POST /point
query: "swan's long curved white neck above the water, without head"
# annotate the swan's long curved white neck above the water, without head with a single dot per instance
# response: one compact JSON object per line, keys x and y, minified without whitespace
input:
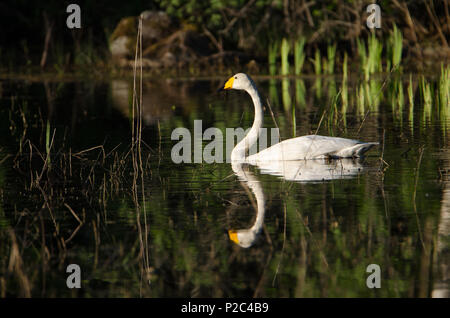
{"x":239,"y":152}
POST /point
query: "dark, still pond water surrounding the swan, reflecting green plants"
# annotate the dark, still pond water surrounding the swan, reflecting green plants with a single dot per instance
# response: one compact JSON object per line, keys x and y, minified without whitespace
{"x":167,"y":232}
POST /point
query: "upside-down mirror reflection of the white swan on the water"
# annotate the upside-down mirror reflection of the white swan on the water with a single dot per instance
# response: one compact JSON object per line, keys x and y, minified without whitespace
{"x":298,"y":170}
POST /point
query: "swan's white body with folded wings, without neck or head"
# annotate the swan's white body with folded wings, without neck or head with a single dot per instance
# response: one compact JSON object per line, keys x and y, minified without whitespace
{"x":312,"y":147}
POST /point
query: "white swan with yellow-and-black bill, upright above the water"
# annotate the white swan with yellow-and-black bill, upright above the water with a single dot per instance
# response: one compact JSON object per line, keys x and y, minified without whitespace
{"x":305,"y":147}
